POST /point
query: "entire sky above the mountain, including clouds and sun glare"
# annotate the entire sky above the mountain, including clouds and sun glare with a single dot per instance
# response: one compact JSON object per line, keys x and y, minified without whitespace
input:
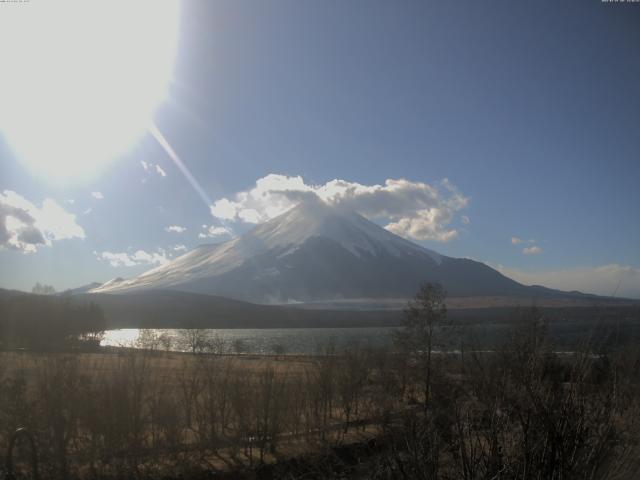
{"x":506,"y":132}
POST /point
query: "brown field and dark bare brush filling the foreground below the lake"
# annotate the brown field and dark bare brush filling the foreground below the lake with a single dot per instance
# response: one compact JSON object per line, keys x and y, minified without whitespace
{"x":520,"y":410}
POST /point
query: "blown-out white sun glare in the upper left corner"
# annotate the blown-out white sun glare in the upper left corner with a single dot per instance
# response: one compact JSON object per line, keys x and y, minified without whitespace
{"x":81,"y":80}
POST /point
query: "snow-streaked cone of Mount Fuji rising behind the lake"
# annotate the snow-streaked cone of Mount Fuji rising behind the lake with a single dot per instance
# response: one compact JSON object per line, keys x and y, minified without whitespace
{"x":316,"y":252}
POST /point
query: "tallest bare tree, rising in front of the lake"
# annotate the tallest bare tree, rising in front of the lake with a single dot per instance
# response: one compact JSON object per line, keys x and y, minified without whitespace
{"x":422,"y":332}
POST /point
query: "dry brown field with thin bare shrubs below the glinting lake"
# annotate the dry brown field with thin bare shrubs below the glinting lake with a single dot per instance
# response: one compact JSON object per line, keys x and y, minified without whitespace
{"x":154,"y":410}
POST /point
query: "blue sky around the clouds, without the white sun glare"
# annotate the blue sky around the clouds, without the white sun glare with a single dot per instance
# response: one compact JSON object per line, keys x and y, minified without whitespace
{"x":530,"y":109}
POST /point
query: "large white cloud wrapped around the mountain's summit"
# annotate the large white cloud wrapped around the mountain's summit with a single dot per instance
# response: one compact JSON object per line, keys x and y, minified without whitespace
{"x":415,"y":210}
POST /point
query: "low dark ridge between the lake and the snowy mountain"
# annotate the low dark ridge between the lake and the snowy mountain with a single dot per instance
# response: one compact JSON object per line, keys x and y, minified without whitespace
{"x":173,"y":309}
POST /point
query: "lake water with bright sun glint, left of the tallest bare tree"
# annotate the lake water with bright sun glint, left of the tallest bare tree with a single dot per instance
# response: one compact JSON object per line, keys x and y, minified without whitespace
{"x":255,"y":341}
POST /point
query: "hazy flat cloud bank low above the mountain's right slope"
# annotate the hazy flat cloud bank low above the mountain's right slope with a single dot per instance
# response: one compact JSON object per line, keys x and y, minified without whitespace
{"x":600,"y":280}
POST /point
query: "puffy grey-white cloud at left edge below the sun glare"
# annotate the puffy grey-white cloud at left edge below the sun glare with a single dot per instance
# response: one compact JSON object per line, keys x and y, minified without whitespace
{"x":24,"y":226}
